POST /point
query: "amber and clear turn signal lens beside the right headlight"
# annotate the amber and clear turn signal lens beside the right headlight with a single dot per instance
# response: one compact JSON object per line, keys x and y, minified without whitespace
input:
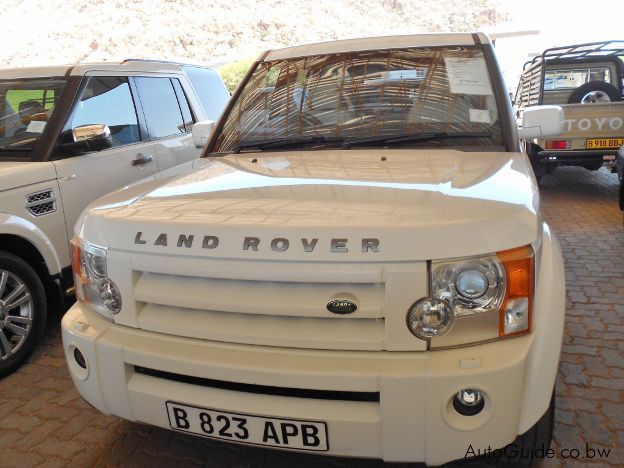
{"x":517,"y":307}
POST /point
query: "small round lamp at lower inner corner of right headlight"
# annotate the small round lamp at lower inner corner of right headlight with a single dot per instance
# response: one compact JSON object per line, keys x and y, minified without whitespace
{"x":429,"y":318}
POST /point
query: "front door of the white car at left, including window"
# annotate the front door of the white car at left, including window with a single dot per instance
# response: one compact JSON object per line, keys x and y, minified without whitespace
{"x":85,"y":177}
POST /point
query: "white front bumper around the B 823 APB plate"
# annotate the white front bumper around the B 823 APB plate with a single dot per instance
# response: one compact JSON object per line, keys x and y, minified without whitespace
{"x":413,"y":420}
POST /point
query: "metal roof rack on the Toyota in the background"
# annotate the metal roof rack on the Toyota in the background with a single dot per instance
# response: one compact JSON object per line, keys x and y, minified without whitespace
{"x":530,"y":89}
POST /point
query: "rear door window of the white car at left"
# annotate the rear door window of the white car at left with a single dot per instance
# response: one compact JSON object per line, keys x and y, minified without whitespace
{"x":161,"y":107}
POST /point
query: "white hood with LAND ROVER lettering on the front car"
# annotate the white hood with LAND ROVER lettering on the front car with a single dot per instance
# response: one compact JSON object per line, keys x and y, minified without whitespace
{"x":419,"y":204}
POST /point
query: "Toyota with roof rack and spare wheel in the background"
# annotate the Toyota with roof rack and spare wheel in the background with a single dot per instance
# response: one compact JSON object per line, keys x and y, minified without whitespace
{"x":587,"y":81}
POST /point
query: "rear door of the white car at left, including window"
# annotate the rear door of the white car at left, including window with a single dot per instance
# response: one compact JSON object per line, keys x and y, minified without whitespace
{"x":169,"y":120}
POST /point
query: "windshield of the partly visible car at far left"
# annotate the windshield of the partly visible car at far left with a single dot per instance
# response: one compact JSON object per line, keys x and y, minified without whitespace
{"x":26,"y":105}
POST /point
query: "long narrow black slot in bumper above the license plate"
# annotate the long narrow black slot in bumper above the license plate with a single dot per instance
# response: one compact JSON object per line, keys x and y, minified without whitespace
{"x":261,"y":389}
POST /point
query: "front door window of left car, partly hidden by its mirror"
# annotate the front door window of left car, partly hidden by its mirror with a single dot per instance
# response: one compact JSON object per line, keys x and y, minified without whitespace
{"x":108,"y":100}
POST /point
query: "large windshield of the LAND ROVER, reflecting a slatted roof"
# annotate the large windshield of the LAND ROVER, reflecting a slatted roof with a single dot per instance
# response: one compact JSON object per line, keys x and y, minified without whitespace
{"x":439,"y":96}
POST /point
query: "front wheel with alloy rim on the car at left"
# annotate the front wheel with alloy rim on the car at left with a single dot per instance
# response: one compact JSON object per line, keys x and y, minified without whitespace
{"x":22,"y":312}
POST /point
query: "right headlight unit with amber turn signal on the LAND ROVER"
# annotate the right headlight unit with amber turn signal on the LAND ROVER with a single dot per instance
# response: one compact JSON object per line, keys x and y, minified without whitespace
{"x":489,"y":297}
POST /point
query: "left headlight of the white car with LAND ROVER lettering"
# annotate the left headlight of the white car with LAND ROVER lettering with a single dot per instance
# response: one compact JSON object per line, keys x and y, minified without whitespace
{"x":91,"y":280}
